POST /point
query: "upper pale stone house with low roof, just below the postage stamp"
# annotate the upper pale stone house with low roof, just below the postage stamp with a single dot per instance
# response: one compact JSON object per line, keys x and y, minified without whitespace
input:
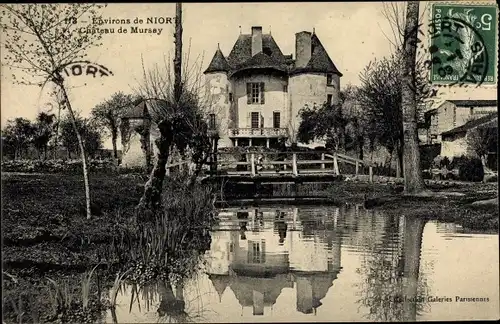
{"x":454,"y":113}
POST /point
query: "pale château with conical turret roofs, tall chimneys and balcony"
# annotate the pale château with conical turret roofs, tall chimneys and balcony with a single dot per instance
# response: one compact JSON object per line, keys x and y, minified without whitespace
{"x":256,"y":92}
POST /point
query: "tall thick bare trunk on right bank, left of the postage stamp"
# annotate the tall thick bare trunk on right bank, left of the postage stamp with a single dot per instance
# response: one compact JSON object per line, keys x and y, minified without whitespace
{"x":412,"y":174}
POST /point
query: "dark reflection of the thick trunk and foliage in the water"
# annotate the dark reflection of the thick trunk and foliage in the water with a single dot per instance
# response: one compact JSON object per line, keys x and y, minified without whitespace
{"x":393,"y":289}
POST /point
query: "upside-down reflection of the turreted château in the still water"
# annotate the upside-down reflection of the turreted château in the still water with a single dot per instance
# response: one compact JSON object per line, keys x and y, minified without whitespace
{"x":258,"y":252}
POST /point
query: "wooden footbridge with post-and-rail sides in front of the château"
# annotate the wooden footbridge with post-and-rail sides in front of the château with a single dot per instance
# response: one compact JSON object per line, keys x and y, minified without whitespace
{"x":280,"y":165}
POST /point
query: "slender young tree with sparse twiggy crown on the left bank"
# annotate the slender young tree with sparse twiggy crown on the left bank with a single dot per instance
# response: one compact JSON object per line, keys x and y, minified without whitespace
{"x":41,"y":40}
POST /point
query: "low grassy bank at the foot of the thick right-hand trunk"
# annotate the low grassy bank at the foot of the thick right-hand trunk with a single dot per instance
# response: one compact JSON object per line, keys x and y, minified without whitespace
{"x":448,"y":202}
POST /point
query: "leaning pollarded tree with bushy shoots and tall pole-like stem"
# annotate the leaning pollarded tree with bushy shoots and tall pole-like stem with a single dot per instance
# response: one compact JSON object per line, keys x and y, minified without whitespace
{"x":177,"y":111}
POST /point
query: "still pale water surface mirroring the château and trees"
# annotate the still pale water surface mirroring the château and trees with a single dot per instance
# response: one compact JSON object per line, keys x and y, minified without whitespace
{"x":311,"y":264}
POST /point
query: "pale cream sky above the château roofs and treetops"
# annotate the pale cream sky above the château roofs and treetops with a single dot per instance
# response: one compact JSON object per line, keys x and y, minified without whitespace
{"x":352,"y":33}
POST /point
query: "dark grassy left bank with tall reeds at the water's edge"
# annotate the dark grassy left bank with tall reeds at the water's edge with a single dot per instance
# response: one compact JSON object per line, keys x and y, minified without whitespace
{"x":50,"y":248}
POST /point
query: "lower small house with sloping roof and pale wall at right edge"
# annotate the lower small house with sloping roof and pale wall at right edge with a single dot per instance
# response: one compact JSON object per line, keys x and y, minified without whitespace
{"x":454,"y":141}
